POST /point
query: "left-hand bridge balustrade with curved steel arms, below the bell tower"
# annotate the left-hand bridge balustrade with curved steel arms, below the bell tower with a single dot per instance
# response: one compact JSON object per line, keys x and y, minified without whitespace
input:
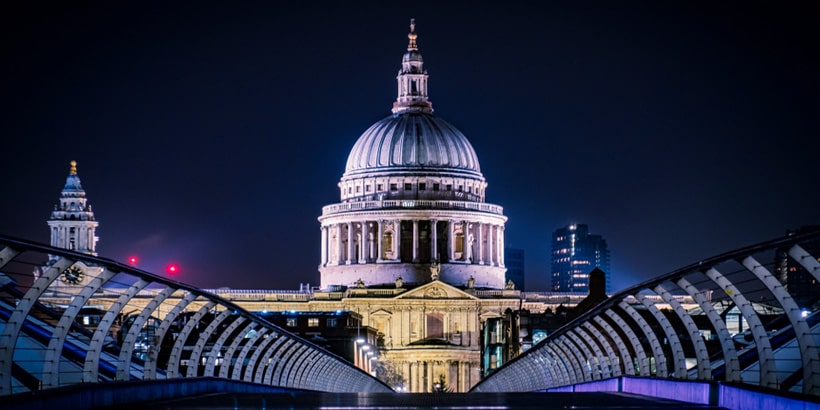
{"x":68,"y":318}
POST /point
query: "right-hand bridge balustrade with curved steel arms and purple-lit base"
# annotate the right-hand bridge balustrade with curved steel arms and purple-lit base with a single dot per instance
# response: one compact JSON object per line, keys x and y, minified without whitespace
{"x":747,"y":316}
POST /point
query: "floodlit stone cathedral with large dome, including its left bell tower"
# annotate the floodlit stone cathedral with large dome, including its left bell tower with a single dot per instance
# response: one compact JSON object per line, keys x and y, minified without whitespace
{"x":412,"y":251}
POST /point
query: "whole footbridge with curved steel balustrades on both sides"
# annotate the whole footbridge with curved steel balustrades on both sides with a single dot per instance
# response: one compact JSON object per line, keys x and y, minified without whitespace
{"x":736,"y":327}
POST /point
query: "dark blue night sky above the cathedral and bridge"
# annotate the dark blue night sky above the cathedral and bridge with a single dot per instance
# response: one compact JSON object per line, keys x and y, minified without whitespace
{"x":211,"y":134}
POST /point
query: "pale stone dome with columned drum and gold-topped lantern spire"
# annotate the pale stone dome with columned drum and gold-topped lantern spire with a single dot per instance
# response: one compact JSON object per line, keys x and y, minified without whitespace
{"x":412,"y":206}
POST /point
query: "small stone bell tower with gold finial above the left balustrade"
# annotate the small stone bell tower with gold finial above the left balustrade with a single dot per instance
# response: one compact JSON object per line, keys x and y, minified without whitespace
{"x":72,"y":222}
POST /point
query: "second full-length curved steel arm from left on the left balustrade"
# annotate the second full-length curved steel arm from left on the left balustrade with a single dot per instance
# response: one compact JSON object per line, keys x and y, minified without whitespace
{"x":51,"y":362}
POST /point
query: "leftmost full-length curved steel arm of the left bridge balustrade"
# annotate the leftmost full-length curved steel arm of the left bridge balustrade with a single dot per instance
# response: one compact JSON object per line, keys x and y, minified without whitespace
{"x":8,"y":339}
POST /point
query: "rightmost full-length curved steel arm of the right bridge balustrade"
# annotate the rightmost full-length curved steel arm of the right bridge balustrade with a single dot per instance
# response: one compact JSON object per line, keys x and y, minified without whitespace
{"x":802,"y":332}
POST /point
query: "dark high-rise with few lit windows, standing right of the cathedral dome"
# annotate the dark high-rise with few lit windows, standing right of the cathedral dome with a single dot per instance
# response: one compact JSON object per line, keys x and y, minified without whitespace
{"x":575,"y":253}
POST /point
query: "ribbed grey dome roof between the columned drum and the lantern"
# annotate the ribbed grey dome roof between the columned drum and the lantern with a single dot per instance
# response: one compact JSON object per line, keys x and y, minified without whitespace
{"x":413,"y":141}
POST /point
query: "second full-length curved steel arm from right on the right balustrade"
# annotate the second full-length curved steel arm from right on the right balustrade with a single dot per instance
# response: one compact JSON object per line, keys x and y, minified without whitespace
{"x":768,"y":371}
